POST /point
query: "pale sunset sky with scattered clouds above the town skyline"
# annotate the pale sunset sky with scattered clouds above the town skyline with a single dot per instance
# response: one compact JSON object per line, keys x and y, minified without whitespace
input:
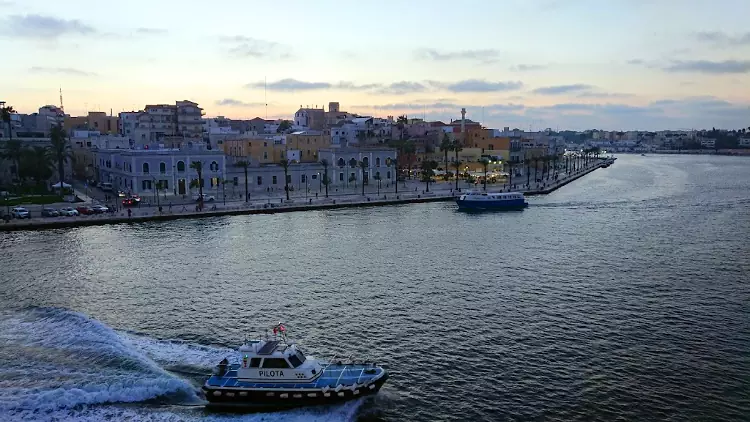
{"x":529,"y":64}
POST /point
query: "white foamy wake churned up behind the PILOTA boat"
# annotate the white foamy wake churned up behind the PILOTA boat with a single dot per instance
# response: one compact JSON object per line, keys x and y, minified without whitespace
{"x":57,"y":364}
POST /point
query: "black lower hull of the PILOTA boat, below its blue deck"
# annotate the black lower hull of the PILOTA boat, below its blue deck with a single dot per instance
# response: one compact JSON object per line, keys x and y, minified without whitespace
{"x":219,"y":397}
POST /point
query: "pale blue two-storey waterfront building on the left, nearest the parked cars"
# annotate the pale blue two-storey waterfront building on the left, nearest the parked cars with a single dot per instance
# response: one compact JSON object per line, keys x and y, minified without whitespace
{"x":138,"y":170}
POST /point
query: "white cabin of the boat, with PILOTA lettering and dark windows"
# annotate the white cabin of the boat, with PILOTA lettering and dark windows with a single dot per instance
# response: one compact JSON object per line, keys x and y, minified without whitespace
{"x":276,"y":361}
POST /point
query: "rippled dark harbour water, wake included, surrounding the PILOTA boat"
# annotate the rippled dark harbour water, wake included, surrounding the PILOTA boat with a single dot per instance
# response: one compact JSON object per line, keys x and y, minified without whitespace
{"x":623,"y":296}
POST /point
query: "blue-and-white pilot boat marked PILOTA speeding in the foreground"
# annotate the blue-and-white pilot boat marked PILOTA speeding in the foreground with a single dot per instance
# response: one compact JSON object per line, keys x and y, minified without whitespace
{"x":276,"y":373}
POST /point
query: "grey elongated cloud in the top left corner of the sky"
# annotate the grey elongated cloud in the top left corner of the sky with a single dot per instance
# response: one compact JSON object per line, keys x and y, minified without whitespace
{"x":44,"y":27}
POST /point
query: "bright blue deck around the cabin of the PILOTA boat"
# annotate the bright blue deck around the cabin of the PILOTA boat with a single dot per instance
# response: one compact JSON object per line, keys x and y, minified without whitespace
{"x":331,"y":377}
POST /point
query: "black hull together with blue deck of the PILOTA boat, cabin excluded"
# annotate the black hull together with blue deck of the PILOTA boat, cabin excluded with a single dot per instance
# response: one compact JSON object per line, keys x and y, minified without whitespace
{"x":336,"y":384}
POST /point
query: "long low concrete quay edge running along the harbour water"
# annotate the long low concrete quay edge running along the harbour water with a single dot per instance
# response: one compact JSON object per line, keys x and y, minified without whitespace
{"x":278,"y":205}
